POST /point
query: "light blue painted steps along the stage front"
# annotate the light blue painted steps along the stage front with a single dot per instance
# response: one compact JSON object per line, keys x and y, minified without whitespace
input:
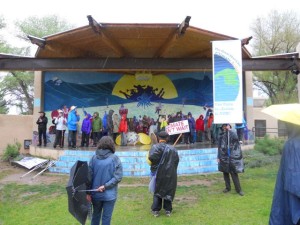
{"x":193,"y":161}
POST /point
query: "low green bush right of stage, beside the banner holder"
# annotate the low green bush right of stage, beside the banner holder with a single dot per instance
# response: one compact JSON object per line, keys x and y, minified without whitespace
{"x":269,"y":146}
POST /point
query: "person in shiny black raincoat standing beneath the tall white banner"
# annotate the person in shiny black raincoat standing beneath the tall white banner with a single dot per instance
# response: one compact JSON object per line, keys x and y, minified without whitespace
{"x":230,"y":158}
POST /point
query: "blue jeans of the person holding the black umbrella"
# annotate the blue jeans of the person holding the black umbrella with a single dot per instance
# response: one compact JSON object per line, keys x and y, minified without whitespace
{"x":104,"y":209}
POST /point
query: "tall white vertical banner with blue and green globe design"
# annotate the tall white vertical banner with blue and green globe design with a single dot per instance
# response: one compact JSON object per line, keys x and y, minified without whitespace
{"x":227,"y":81}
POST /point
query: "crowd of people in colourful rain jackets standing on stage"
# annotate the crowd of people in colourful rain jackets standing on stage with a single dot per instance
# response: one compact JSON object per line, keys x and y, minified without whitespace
{"x":93,"y":127}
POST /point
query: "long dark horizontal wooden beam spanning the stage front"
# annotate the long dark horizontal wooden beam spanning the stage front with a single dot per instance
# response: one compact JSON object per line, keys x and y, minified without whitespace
{"x":136,"y":64}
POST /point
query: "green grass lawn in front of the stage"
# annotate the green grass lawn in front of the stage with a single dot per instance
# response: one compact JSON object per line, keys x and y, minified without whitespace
{"x":195,"y":202}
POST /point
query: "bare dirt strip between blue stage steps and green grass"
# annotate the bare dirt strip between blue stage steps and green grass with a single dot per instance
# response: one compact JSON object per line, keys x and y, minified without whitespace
{"x":15,"y":174}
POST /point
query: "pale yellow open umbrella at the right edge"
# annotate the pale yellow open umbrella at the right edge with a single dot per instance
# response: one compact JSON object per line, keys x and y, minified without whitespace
{"x":286,"y":112}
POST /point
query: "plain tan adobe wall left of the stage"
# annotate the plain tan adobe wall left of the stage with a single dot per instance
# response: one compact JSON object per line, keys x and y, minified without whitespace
{"x":15,"y":128}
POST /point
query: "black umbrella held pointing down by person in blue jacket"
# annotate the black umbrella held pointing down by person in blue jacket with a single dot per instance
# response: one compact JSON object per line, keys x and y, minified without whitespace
{"x":76,"y":189}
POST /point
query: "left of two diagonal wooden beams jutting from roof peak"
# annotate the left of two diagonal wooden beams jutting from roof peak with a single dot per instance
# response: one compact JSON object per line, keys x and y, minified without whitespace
{"x":107,"y":39}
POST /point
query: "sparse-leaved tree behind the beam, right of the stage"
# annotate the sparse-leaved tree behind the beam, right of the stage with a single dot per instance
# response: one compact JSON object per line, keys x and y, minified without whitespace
{"x":276,"y":33}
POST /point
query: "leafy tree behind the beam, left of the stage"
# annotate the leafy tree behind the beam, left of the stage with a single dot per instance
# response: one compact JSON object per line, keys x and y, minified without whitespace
{"x":18,"y":86}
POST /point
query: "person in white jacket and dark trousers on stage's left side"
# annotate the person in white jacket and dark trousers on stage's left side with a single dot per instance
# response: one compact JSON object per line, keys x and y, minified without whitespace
{"x":60,"y":123}
